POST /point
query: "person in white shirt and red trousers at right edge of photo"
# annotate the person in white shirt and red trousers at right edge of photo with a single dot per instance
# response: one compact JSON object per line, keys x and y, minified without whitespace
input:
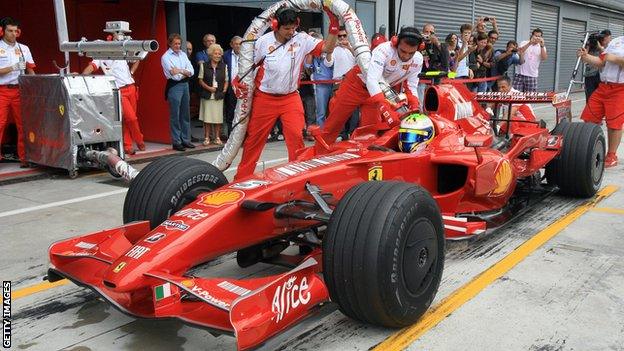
{"x":606,"y":100}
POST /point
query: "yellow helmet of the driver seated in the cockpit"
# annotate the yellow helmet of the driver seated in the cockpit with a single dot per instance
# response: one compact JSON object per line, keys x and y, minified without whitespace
{"x":415,"y":133}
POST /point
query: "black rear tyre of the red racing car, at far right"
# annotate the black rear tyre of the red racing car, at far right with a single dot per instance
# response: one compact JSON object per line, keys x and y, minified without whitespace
{"x":579,"y":168}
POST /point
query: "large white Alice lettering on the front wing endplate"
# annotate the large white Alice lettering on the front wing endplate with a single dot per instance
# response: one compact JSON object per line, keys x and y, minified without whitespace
{"x":289,"y":296}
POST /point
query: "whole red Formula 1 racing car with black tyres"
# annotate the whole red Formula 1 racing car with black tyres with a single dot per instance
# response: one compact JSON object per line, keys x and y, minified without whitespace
{"x":370,"y":221}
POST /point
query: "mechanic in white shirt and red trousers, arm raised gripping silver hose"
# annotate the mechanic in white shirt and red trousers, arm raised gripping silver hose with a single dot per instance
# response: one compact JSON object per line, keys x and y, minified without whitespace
{"x":280,"y":56}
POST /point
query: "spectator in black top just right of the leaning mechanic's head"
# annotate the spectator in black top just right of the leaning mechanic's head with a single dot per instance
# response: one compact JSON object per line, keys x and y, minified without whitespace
{"x":435,"y":55}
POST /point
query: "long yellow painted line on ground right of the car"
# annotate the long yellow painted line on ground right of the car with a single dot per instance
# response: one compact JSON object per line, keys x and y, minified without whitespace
{"x":403,"y":338}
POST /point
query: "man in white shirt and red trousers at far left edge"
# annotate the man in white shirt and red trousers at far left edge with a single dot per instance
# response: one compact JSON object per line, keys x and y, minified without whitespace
{"x":15,"y":59}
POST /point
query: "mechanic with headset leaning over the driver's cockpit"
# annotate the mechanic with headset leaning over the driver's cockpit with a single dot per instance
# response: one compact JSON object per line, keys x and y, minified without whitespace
{"x":397,"y":62}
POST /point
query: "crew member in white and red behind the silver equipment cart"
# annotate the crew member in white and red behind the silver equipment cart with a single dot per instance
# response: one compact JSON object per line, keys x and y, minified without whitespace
{"x":129,"y":96}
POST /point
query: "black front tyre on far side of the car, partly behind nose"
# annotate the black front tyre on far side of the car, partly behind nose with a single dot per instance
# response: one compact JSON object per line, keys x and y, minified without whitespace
{"x":166,"y":185}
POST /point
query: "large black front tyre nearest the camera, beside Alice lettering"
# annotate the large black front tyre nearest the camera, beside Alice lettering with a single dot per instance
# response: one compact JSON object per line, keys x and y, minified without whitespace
{"x":383,"y":253}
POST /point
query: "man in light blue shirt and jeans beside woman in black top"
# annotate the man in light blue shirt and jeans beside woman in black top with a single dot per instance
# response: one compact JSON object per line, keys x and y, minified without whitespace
{"x":177,"y":69}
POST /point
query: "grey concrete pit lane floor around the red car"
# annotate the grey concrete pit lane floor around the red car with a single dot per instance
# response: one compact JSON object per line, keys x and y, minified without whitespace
{"x":565,"y":295}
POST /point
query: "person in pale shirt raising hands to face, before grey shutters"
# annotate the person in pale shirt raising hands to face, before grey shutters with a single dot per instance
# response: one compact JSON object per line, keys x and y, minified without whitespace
{"x":532,"y":53}
